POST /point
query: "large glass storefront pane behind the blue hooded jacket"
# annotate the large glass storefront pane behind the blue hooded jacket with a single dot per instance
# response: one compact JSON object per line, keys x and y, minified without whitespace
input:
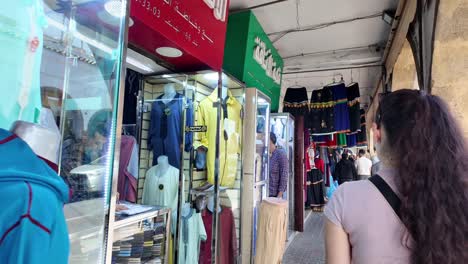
{"x":63,"y":61}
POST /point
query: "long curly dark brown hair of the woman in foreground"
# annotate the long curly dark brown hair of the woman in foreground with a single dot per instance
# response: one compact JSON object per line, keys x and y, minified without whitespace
{"x":432,"y":158}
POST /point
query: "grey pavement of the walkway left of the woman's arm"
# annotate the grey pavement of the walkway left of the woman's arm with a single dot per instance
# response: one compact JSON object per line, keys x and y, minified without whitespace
{"x":308,"y":247}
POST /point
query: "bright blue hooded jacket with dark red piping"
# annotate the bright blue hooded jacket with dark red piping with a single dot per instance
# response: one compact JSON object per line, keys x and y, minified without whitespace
{"x":32,"y":195}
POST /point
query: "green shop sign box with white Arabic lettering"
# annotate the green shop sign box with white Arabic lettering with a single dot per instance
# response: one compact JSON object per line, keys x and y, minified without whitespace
{"x":250,"y":56}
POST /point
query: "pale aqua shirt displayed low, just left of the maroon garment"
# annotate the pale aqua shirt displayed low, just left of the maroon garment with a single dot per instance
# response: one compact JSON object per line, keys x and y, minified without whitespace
{"x":192,"y":233}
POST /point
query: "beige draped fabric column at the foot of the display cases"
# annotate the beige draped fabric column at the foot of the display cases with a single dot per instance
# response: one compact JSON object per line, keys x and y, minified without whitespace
{"x":271,"y":230}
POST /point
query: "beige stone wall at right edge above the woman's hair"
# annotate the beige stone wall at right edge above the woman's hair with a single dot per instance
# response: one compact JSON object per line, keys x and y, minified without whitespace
{"x":450,"y":65}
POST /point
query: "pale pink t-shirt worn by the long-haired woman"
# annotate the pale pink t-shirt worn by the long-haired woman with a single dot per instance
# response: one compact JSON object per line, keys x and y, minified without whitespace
{"x":376,"y":233}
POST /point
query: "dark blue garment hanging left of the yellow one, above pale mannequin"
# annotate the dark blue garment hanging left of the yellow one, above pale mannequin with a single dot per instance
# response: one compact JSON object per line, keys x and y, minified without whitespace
{"x":165,"y":134}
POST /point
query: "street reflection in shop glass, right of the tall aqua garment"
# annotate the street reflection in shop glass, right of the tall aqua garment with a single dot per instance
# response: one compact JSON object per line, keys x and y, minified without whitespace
{"x":80,"y":72}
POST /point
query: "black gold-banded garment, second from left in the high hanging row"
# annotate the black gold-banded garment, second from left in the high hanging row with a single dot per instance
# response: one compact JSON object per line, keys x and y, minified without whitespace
{"x":322,"y":112}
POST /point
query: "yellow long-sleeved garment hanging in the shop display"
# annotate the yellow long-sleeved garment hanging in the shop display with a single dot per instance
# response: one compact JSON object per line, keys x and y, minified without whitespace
{"x":229,"y":149}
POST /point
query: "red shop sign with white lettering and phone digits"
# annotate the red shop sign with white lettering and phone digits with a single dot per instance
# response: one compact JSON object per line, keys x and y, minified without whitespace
{"x":195,"y":27}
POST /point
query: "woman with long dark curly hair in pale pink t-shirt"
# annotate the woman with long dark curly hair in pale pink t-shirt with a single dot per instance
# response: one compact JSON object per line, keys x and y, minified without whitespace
{"x":428,"y":222}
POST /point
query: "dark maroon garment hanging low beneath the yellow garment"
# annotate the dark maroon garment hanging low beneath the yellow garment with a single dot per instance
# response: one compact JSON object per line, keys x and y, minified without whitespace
{"x":227,"y":238}
